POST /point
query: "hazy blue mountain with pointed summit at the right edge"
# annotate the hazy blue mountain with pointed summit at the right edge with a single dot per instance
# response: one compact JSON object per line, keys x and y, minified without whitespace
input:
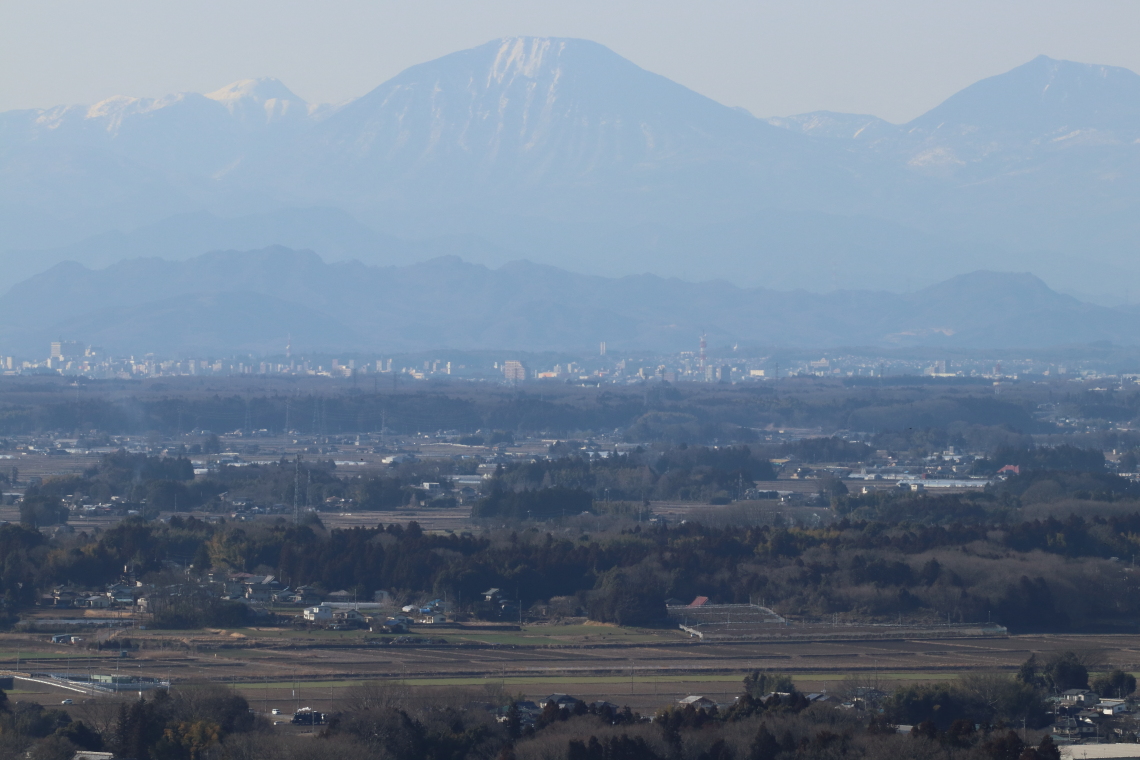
{"x":1046,"y":157}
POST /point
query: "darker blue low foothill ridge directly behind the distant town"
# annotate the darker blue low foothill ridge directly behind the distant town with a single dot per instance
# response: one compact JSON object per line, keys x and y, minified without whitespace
{"x":254,"y":301}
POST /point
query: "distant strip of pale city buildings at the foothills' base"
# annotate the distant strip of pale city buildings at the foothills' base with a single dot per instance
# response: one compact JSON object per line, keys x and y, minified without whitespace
{"x":719,"y":364}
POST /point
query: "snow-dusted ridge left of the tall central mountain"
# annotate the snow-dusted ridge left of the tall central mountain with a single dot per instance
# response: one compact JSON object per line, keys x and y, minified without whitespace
{"x":75,"y":171}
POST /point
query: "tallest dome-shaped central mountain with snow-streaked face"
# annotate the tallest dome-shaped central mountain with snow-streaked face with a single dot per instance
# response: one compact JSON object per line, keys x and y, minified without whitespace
{"x":550,"y":127}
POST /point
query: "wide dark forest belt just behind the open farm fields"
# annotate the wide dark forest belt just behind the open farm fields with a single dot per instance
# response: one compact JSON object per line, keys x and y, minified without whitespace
{"x":1043,"y":575}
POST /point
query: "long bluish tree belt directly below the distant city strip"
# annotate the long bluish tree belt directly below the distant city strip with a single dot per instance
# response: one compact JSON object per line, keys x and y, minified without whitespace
{"x":675,"y":414}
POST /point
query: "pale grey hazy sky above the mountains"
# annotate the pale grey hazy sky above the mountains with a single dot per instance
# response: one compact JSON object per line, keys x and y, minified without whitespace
{"x":893,"y":59}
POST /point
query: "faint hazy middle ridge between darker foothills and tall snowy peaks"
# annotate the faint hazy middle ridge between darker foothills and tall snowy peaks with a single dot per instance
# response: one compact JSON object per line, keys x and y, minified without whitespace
{"x":783,"y":250}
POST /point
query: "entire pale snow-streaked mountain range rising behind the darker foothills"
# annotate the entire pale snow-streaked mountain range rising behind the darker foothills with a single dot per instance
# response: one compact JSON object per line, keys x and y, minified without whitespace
{"x":564,"y":153}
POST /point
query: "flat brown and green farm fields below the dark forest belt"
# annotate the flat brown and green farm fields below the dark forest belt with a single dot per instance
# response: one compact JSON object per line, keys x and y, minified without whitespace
{"x":642,"y":668}
